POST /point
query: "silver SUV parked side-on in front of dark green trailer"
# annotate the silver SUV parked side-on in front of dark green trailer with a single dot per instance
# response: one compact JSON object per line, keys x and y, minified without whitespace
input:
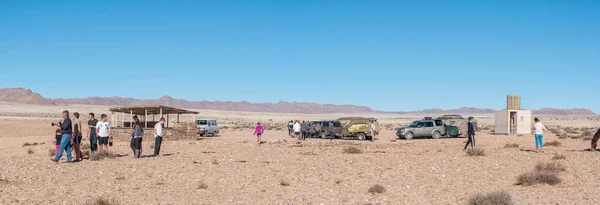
{"x":422,"y":128}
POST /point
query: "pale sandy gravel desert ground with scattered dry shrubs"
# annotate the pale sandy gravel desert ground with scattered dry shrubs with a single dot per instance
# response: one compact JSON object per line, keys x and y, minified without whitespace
{"x":238,"y":171}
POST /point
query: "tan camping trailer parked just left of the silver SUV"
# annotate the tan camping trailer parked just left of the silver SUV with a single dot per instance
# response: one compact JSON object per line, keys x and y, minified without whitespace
{"x":357,"y":127}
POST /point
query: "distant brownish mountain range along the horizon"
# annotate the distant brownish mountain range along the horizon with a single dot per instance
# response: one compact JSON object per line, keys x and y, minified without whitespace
{"x":22,"y":95}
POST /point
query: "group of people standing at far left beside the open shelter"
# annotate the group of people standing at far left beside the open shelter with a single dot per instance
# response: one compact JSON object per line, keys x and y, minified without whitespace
{"x":69,"y":136}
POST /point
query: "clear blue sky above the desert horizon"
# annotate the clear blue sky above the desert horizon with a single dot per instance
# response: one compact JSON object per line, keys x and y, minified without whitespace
{"x":389,"y":55}
